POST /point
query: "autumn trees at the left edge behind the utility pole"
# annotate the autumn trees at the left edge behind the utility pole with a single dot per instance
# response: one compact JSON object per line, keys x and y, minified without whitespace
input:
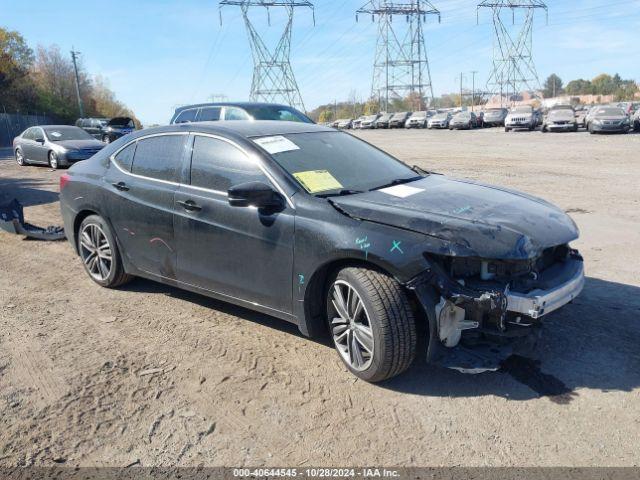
{"x":43,"y":82}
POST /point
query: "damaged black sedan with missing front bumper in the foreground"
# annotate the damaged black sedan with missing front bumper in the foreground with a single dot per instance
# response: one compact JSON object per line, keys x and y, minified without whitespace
{"x":316,"y":227}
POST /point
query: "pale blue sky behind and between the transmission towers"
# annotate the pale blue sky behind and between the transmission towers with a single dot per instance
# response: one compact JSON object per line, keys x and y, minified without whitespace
{"x":157,"y":54}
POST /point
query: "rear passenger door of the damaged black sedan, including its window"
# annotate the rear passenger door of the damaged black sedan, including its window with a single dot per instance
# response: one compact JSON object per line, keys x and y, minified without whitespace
{"x":141,"y":182}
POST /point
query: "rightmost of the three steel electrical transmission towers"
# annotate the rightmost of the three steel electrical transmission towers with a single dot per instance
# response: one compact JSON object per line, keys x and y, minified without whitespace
{"x":513,"y":70}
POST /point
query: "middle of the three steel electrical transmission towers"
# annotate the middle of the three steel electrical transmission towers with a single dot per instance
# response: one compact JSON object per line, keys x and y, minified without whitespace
{"x":400,"y":66}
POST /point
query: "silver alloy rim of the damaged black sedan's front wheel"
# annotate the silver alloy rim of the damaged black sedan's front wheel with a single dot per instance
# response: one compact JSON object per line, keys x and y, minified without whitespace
{"x":351,"y":328}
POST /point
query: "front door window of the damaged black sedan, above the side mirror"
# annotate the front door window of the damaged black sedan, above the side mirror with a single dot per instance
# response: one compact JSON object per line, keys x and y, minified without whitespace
{"x":218,"y":165}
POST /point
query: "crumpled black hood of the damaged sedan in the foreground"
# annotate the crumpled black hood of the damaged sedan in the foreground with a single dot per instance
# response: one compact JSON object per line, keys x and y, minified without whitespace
{"x":472,"y":219}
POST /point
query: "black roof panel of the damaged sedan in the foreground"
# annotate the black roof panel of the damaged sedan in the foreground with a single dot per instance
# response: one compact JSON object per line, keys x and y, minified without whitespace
{"x":242,"y":128}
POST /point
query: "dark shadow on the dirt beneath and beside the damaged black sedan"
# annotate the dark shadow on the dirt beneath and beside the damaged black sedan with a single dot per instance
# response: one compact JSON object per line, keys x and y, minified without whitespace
{"x":592,"y":343}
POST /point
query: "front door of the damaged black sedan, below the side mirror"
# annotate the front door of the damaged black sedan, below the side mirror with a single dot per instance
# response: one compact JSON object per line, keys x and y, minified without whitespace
{"x":240,"y":252}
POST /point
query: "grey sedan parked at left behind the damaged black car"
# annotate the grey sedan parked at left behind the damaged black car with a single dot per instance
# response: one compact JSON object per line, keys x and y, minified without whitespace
{"x":54,"y":145}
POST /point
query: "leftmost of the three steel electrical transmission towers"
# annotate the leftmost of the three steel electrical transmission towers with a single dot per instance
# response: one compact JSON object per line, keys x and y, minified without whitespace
{"x":273,"y":79}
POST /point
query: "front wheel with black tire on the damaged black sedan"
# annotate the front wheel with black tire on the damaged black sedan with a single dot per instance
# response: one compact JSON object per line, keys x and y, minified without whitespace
{"x":385,"y":323}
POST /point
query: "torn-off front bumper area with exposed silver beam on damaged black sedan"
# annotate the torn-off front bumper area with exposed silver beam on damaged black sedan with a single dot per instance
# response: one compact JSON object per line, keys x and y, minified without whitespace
{"x":490,"y":325}
